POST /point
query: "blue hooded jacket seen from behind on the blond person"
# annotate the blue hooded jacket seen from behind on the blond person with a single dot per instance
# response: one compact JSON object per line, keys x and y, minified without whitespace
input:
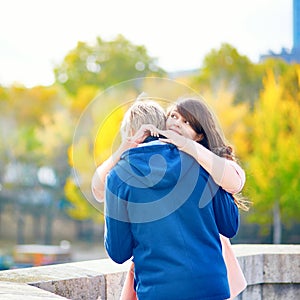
{"x":164,"y":210}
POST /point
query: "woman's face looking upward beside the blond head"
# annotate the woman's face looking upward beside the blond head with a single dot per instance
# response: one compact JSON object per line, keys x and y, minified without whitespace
{"x":177,"y":123}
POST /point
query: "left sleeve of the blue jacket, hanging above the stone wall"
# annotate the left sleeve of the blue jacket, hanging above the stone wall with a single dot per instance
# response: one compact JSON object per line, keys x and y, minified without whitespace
{"x":118,"y":238}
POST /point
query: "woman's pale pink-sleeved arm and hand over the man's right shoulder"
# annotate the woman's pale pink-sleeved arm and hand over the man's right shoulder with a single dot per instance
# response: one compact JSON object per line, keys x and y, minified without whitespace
{"x":226,"y":173}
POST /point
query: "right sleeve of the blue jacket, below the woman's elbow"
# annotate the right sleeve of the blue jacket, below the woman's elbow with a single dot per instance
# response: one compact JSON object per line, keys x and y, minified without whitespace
{"x":226,"y":213}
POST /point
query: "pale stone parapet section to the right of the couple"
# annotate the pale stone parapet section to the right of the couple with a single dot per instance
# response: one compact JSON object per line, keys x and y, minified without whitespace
{"x":272,"y":271}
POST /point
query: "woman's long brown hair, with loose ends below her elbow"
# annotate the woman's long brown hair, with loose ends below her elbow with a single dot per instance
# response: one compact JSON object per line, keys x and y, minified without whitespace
{"x":204,"y":122}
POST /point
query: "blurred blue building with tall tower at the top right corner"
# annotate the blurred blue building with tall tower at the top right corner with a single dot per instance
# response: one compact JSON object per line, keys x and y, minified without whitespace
{"x":290,"y":56}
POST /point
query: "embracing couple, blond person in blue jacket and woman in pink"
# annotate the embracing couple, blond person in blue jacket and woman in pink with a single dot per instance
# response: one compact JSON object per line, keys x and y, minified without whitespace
{"x":171,"y":204}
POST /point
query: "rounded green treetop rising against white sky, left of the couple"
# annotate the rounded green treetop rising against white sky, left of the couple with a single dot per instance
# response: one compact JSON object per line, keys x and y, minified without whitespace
{"x":104,"y":64}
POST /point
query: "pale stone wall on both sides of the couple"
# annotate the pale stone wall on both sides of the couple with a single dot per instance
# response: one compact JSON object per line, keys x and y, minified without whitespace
{"x":272,"y":273}
